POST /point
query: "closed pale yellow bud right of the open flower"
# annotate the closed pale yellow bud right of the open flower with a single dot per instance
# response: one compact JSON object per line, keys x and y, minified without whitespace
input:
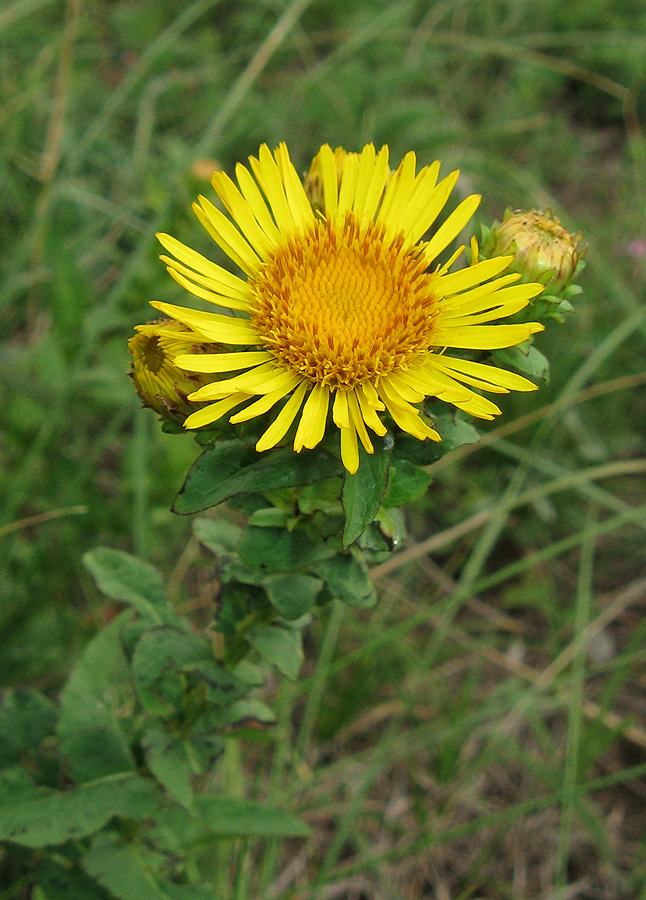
{"x":543,"y":250}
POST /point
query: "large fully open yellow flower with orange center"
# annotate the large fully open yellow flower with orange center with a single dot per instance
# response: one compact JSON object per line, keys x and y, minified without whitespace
{"x":340,"y":306}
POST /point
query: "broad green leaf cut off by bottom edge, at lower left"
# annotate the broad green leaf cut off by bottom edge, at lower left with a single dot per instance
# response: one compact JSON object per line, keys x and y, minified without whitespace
{"x":126,"y":870}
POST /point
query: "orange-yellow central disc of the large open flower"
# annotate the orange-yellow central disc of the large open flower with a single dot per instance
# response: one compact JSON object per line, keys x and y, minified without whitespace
{"x":339,"y":305}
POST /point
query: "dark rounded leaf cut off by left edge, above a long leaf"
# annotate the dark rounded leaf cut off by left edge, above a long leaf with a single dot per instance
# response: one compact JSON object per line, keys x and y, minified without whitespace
{"x":27,"y":717}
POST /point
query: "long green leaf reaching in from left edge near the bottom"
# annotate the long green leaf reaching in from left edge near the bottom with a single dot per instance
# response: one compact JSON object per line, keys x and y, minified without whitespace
{"x":39,"y":818}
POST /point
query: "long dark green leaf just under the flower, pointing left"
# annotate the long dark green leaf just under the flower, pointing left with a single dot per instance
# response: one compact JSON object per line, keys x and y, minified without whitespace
{"x":233,"y":468}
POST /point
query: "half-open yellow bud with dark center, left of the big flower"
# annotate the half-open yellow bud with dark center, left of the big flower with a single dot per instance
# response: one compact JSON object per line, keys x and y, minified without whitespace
{"x":161,"y":386}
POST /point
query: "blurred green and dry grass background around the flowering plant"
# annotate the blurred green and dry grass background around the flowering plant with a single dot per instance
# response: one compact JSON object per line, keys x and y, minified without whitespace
{"x":485,"y":740}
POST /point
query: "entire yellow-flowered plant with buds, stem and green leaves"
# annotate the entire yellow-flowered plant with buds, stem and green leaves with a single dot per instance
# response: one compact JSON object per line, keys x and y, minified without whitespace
{"x":351,"y":347}
